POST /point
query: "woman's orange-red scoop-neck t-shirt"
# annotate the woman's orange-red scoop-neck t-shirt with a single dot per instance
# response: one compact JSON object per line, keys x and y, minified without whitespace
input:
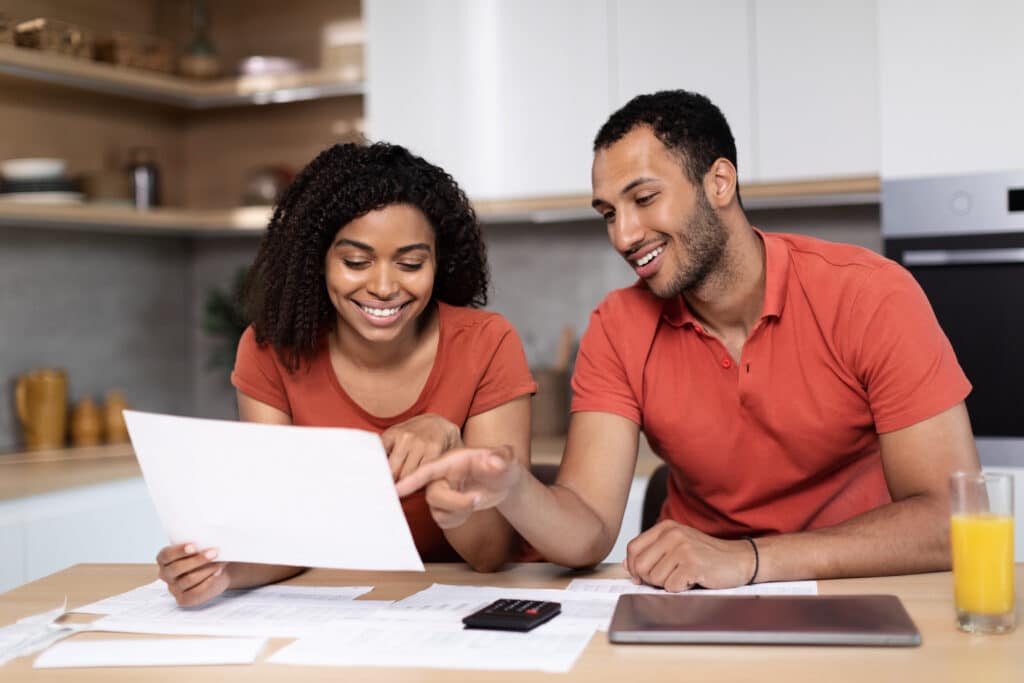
{"x":480,"y":366}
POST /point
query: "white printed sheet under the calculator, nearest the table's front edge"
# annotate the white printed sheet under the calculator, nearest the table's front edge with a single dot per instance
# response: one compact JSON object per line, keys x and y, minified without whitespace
{"x":390,"y":644}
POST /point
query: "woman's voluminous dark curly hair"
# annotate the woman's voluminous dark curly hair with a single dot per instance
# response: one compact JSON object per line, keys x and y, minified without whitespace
{"x":286,"y":296}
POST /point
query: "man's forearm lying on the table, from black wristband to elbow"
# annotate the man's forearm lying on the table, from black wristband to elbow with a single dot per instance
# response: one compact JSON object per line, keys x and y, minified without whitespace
{"x":905,"y":537}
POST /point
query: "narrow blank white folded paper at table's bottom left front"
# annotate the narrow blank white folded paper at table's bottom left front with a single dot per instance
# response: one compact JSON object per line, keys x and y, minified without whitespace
{"x":151,"y":653}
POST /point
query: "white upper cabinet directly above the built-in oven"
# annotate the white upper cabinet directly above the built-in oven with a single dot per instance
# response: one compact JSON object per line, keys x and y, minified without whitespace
{"x":952,"y":87}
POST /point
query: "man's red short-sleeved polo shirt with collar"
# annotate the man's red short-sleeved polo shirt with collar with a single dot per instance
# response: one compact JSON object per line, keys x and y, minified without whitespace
{"x":847,"y":348}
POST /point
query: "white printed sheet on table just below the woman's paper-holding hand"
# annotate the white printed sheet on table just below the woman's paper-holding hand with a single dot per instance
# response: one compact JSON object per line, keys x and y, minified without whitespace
{"x":284,"y":612}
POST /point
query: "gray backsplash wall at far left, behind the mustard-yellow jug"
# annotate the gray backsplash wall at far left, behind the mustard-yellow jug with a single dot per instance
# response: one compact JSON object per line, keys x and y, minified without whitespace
{"x":111,"y":310}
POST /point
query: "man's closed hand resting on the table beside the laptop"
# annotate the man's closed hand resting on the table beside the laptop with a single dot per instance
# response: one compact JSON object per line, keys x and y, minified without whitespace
{"x":678,"y":558}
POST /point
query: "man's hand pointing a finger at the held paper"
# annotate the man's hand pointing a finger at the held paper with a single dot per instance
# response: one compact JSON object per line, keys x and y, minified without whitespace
{"x":462,"y":482}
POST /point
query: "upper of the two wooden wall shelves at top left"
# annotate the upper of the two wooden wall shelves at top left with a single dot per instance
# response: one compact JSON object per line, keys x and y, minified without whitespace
{"x":174,"y":91}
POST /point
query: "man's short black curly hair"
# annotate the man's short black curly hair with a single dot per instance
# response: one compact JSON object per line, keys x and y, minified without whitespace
{"x":688,"y":123}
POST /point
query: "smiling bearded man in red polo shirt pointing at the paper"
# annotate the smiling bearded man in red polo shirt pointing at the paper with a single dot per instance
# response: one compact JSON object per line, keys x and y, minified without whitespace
{"x":802,"y":393}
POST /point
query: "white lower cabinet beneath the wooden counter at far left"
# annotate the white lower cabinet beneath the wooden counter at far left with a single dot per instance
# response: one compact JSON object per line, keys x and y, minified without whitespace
{"x":109,"y":523}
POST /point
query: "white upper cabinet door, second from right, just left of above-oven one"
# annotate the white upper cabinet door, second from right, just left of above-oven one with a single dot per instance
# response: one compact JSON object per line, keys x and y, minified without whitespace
{"x":817,"y":90}
